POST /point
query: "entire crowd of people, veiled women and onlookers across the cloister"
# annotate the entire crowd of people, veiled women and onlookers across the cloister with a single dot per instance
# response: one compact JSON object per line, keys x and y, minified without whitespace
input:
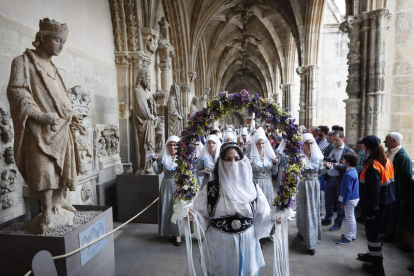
{"x":239,"y":175}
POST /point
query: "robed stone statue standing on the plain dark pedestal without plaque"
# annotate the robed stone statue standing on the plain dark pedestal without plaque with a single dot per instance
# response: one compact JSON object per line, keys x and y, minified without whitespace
{"x":145,"y":118}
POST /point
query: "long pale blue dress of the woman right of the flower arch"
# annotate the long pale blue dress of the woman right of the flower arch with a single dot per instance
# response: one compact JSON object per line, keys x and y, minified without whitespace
{"x":308,"y":203}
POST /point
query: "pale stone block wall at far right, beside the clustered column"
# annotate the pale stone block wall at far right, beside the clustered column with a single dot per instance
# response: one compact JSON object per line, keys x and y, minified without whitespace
{"x":399,"y":83}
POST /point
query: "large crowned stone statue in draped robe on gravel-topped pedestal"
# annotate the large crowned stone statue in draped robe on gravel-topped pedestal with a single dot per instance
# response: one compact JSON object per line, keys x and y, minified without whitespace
{"x":45,"y":148}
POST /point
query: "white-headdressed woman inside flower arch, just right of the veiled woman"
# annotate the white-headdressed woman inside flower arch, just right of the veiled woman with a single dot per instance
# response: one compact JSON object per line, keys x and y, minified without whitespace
{"x":264,"y":164}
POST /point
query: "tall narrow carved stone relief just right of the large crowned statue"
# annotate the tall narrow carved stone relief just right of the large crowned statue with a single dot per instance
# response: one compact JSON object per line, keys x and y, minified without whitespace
{"x":85,"y":193}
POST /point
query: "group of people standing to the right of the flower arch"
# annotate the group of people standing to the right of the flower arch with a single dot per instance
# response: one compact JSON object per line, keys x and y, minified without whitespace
{"x":373,"y":180}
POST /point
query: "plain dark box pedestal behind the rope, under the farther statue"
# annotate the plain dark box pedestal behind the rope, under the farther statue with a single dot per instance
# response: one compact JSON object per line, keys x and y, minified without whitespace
{"x":134,"y":193}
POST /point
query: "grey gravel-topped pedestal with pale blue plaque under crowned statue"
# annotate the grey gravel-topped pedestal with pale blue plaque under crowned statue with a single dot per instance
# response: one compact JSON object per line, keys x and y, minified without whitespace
{"x":18,"y":249}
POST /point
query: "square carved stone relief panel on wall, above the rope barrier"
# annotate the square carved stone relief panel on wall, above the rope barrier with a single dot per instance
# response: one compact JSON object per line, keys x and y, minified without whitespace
{"x":106,"y":147}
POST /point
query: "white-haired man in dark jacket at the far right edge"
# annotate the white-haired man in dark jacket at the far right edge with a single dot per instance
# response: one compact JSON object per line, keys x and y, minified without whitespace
{"x":403,"y":173}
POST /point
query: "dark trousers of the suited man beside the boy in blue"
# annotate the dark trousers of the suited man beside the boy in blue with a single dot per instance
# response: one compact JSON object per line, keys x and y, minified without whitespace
{"x":332,"y":192}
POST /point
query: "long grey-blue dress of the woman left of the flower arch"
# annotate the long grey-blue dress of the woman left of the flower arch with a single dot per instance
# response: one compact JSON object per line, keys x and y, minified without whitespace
{"x":166,"y":201}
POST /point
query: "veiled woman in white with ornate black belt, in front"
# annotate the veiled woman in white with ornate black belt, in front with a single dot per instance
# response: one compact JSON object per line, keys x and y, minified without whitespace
{"x":235,"y":213}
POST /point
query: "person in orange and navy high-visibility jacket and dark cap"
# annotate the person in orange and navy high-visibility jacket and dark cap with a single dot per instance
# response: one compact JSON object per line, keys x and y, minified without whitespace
{"x":378,"y":177}
